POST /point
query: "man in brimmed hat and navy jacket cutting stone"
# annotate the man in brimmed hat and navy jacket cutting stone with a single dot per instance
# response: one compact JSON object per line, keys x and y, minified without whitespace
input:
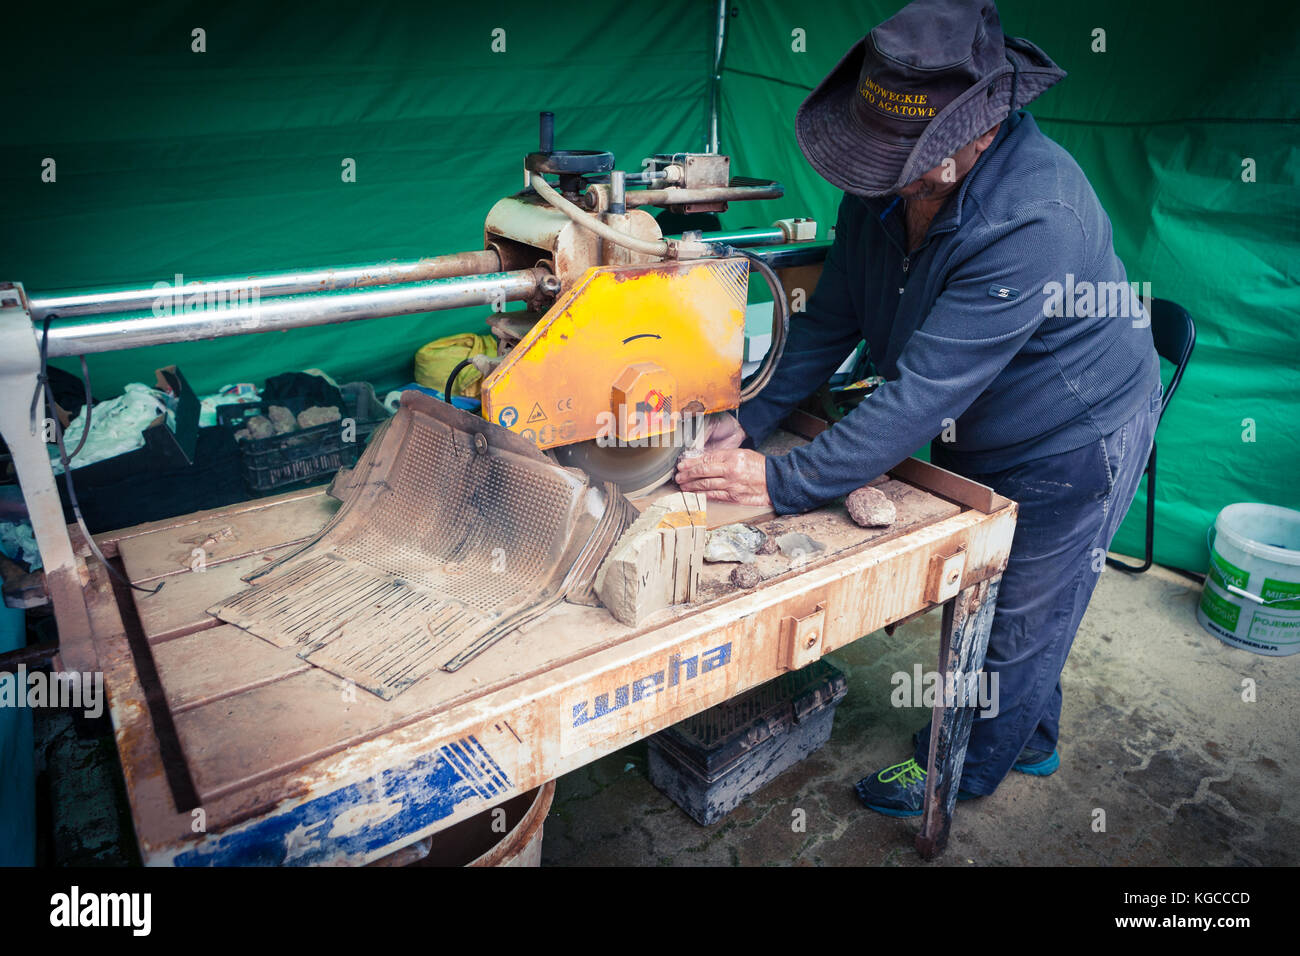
{"x":961,"y":230}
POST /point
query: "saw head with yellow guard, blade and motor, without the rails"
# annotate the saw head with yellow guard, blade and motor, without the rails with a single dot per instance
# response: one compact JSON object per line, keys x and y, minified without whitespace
{"x":647,"y":336}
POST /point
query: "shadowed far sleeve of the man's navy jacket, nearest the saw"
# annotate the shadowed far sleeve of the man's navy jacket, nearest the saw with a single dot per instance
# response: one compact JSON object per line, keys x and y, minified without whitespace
{"x":818,"y":341}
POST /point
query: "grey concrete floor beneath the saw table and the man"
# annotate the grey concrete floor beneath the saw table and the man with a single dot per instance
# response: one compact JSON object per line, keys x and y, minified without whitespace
{"x":1155,"y":733}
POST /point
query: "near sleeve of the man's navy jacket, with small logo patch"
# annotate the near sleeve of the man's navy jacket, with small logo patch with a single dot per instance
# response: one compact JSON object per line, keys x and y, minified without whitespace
{"x":967,"y":340}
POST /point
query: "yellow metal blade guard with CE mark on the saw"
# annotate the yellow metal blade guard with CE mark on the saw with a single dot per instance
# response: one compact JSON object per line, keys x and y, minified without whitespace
{"x":625,"y":352}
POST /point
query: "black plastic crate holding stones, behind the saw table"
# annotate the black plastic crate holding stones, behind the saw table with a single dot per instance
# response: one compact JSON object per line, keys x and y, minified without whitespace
{"x":310,"y":453}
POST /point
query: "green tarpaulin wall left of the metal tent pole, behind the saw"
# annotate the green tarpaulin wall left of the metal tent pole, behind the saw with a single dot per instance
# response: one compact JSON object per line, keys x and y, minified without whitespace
{"x":233,"y":161}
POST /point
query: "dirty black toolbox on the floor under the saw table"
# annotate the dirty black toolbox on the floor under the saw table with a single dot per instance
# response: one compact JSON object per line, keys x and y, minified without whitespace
{"x":708,"y":764}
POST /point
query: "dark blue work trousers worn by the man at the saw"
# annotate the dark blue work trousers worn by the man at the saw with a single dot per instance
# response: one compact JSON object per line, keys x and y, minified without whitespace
{"x":1071,"y":508}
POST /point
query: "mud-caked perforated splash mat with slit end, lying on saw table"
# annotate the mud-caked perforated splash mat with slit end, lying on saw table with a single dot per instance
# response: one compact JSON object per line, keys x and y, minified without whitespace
{"x":453,"y":533}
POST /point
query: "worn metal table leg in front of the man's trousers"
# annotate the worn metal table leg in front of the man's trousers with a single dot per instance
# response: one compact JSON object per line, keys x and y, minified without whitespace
{"x":968,"y":620}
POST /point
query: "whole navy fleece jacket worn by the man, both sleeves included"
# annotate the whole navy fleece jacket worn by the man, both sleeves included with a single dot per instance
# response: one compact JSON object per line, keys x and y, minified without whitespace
{"x":1012,"y":330}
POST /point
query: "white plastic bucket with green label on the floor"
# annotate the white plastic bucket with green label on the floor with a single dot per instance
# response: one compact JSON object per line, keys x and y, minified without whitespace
{"x":1253,"y":592}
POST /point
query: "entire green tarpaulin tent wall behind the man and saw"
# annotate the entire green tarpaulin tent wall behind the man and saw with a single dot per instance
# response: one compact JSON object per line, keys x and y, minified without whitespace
{"x":231,"y":161}
